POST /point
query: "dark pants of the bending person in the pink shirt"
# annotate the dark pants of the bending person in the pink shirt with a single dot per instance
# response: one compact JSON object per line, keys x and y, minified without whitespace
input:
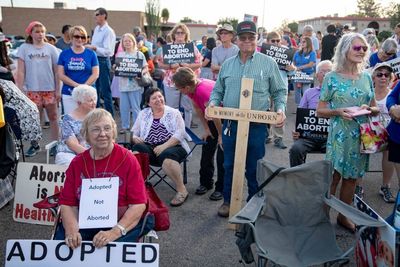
{"x":207,"y":161}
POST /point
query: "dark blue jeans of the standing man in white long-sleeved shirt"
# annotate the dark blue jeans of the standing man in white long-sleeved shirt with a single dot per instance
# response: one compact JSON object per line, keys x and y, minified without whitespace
{"x":103,"y":84}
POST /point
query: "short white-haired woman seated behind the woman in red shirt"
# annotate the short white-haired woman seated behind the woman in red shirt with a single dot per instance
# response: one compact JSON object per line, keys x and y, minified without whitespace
{"x":72,"y":142}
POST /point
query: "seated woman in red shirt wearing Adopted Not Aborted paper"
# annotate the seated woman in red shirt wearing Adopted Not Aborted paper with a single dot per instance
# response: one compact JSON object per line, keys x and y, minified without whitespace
{"x":104,"y":159}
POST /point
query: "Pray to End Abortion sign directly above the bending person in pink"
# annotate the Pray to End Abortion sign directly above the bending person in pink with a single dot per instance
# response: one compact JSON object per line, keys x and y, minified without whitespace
{"x":178,"y":53}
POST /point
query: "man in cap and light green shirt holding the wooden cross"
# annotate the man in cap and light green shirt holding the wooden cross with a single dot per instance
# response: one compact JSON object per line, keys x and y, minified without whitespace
{"x":260,"y":72}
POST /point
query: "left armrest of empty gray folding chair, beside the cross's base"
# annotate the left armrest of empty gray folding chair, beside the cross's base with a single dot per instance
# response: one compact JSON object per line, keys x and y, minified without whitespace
{"x":250,"y":212}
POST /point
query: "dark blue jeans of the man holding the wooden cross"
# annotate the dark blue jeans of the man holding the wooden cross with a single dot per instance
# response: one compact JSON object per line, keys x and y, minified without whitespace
{"x":255,"y":151}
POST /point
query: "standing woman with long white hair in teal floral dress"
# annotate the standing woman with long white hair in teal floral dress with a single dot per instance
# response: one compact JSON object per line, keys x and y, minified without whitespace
{"x":346,"y":86}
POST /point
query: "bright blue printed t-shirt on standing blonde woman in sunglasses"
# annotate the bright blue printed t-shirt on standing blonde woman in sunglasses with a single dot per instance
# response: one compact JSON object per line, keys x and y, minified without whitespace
{"x":77,"y":67}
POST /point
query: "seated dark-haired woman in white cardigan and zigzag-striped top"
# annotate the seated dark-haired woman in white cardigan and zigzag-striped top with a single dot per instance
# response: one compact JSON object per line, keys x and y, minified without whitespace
{"x":160,"y":132}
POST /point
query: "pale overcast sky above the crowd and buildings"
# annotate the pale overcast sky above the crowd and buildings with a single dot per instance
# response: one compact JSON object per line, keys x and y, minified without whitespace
{"x":270,"y":13}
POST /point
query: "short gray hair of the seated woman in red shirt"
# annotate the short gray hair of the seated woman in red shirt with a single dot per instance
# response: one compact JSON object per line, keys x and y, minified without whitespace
{"x":98,"y":114}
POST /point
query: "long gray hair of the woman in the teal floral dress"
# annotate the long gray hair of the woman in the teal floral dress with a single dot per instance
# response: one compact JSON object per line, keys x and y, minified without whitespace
{"x":343,"y":47}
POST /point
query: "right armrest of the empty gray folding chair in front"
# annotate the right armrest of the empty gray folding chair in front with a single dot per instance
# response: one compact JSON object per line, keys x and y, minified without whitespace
{"x":356,"y":216}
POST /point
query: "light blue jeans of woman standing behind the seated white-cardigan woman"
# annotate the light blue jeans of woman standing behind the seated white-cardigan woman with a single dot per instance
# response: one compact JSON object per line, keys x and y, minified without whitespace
{"x":129,"y":102}
